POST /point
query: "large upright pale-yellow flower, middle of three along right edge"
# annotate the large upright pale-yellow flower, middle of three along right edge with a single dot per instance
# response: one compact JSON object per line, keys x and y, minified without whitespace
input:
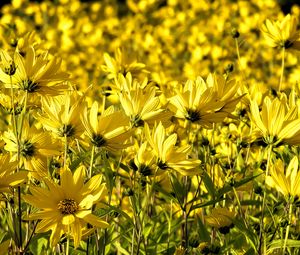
{"x":277,"y":121}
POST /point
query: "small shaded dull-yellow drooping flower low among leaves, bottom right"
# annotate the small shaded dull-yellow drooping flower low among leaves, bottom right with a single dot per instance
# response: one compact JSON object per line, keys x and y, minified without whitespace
{"x":221,"y":218}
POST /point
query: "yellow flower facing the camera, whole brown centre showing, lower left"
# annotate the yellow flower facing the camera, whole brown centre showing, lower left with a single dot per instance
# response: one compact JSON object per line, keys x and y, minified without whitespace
{"x":66,"y":208}
